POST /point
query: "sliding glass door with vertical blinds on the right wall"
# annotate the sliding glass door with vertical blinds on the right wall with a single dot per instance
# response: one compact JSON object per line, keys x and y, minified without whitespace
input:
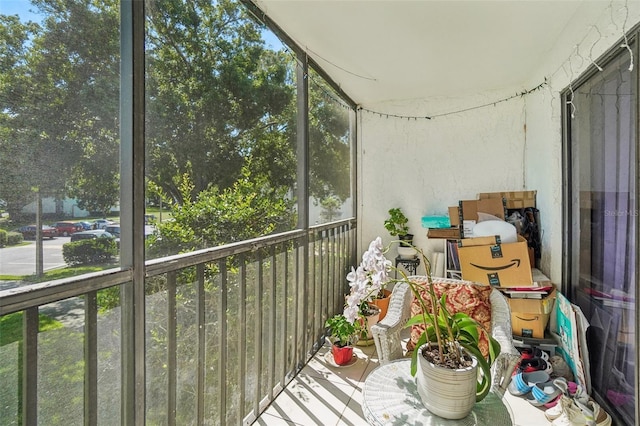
{"x":602,"y":218}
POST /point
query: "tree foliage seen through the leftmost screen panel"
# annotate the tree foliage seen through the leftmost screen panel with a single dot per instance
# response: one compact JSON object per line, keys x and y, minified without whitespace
{"x":60,"y":97}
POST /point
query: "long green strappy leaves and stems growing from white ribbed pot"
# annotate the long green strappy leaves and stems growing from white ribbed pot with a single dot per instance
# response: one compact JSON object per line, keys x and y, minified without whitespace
{"x":447,"y":333}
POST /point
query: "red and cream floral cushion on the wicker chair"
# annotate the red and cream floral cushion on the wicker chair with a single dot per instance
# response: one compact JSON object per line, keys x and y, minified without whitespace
{"x":471,"y":299}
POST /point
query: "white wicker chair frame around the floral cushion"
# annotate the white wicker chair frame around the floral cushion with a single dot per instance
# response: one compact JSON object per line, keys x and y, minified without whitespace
{"x":388,"y":340}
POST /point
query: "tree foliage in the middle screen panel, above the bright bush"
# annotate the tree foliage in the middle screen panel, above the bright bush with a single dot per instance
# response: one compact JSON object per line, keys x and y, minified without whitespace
{"x":216,"y":97}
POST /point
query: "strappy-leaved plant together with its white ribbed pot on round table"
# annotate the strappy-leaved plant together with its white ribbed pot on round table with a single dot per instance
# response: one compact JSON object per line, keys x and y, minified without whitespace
{"x":448,"y":355}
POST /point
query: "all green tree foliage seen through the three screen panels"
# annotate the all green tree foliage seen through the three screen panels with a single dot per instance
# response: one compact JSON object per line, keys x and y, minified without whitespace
{"x":221,"y":108}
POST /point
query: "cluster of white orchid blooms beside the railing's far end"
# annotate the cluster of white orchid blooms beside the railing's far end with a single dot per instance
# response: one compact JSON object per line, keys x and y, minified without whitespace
{"x":367,"y":281}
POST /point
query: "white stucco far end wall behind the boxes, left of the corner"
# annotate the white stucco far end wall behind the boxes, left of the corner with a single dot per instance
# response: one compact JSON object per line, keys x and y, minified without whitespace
{"x":423,"y":166}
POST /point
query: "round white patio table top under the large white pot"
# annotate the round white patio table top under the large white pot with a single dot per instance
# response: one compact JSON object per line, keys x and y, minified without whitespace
{"x":390,"y":397}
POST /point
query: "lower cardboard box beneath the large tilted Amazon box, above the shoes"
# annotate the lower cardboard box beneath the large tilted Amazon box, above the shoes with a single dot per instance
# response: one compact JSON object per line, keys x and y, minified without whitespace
{"x":529,"y":317}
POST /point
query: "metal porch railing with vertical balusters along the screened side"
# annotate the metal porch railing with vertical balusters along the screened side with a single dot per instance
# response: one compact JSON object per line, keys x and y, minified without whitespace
{"x":225,"y":330}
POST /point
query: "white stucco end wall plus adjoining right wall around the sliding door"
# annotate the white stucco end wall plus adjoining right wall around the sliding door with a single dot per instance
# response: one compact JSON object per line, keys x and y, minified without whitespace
{"x":424,"y":166}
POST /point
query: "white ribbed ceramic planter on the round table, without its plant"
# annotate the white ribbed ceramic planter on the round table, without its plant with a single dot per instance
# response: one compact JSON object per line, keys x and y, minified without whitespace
{"x":447,"y":393}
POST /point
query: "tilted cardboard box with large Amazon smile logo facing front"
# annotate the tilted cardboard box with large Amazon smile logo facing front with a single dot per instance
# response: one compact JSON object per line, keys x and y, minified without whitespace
{"x":486,"y":260}
